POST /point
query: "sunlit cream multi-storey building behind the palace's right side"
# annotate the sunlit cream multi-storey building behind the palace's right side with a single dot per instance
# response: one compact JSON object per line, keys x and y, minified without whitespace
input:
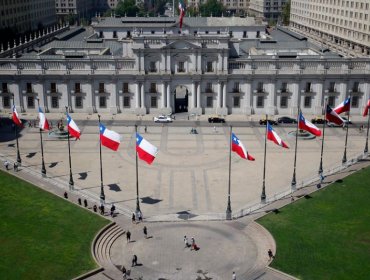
{"x":341,"y":25}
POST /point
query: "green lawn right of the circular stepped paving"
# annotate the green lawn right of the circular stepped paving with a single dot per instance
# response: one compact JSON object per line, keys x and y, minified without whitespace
{"x":326,"y":236}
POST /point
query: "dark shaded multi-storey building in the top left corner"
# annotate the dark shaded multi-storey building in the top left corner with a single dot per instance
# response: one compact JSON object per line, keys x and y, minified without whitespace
{"x":24,"y":16}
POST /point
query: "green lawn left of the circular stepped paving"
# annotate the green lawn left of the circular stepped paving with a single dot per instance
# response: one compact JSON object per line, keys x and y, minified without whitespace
{"x":41,"y":235}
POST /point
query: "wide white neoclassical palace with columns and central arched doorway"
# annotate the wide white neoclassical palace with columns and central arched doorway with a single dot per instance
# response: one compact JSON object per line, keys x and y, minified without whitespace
{"x":148,"y":66}
